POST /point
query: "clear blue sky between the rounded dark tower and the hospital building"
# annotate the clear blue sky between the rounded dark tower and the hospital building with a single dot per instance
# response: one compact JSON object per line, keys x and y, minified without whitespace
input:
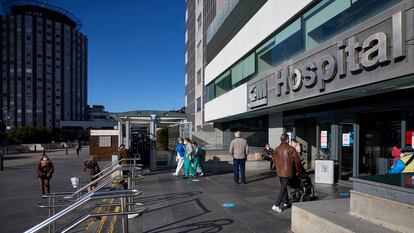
{"x":136,"y":52}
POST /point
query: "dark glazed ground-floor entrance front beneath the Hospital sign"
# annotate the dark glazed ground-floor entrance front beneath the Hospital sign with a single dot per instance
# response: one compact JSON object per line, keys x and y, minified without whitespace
{"x":358,"y":134}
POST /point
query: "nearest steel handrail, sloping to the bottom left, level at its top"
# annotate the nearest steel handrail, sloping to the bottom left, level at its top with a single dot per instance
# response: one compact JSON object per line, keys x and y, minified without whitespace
{"x":81,"y":201}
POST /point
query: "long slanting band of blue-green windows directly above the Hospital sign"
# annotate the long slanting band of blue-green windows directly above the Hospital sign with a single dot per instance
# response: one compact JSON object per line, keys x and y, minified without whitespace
{"x":318,"y":24}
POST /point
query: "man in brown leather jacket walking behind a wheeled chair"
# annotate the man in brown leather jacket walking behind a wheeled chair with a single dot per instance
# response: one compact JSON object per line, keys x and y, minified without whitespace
{"x":288,"y":167}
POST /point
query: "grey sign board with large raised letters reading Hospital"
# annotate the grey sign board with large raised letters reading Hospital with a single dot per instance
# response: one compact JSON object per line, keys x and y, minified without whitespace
{"x":365,"y":55}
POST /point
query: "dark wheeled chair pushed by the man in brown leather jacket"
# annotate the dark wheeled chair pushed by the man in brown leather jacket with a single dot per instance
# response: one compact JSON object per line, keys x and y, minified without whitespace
{"x":303,"y":189}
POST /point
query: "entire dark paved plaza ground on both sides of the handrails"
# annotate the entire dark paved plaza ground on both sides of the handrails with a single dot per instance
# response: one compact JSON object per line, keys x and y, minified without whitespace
{"x":175,"y":205}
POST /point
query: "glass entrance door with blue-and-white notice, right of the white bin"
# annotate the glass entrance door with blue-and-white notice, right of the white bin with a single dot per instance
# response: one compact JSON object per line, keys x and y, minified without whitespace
{"x":346,"y":150}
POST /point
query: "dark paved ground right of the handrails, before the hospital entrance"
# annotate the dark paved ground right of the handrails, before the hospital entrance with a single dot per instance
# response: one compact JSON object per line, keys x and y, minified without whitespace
{"x":177,"y":205}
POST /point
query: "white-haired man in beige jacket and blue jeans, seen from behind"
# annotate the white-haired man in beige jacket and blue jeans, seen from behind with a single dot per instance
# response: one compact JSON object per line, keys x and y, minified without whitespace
{"x":239,"y":150}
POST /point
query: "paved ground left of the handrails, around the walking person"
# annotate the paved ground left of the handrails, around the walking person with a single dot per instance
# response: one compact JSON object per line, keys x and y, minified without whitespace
{"x":20,"y":192}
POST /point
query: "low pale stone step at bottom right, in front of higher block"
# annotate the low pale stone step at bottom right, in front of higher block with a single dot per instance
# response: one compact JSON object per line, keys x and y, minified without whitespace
{"x":327,"y":216}
